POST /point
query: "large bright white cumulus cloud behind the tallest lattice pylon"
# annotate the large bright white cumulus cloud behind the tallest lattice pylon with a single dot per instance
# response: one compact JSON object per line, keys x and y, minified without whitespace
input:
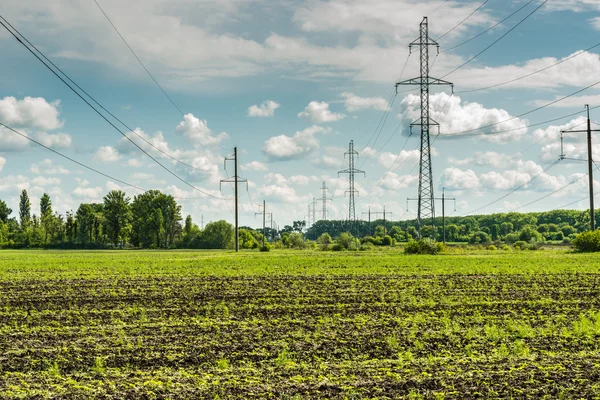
{"x":456,"y":116}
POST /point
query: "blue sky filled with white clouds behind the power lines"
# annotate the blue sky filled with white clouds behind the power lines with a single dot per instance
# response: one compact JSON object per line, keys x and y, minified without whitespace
{"x":290,"y":83}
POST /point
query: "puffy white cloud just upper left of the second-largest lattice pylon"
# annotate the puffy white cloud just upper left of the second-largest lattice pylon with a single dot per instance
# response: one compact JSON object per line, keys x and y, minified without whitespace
{"x":301,"y":144}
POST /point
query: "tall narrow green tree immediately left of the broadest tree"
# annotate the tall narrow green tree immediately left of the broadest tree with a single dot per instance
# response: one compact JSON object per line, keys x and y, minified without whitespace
{"x":117,"y":214}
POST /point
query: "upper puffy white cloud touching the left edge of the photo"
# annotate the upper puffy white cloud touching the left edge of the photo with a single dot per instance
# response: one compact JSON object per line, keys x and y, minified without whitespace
{"x":31,"y":112}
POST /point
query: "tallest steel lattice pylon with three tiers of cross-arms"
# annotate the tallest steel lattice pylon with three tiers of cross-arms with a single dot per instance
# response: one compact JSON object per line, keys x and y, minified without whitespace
{"x":426,"y":198}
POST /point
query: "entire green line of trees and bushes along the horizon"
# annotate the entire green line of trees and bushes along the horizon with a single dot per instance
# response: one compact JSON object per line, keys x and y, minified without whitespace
{"x":154,"y":220}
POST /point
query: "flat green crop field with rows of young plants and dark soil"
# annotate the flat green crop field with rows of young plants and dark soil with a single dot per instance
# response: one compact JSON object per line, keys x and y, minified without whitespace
{"x":285,"y":324}
